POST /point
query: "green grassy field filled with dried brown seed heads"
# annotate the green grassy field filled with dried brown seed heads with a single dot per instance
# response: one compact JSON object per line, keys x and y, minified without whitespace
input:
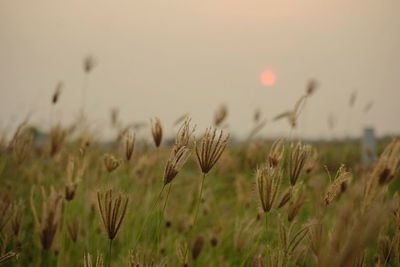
{"x":200,"y":200}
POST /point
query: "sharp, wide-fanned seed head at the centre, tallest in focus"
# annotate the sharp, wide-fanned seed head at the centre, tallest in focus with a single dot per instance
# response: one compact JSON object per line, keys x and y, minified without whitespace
{"x":210,"y":149}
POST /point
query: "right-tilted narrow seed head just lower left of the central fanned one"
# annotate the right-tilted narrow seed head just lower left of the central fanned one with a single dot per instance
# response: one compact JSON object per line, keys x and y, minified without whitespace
{"x":175,"y":162}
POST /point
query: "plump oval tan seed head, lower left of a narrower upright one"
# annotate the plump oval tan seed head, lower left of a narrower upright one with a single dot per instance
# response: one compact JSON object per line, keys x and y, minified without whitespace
{"x":268,"y":180}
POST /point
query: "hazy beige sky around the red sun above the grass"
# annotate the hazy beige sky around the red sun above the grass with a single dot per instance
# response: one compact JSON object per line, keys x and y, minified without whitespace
{"x":166,"y":58}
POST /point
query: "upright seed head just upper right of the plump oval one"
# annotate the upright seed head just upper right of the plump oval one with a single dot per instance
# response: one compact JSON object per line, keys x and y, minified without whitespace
{"x":297,"y":158}
